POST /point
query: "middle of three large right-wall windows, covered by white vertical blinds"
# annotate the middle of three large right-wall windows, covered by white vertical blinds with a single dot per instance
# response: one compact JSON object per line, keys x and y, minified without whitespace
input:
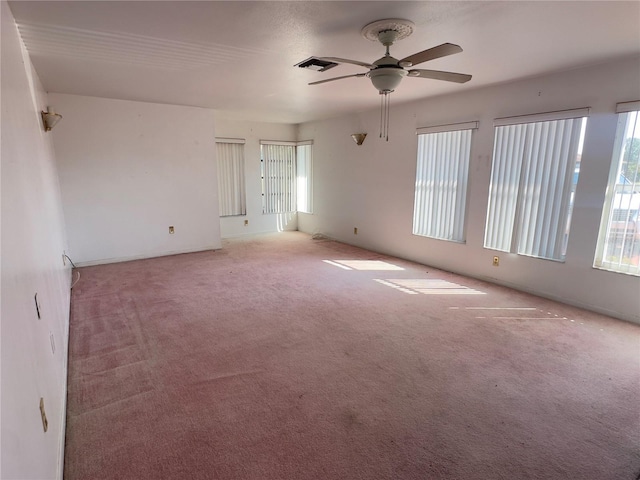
{"x":533,"y":177}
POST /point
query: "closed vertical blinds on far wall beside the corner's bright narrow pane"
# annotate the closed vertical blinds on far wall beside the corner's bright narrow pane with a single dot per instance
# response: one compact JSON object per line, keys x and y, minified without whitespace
{"x":279,"y":178}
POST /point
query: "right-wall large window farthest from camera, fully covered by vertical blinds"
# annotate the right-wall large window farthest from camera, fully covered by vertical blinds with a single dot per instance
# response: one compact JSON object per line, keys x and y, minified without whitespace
{"x":441,"y":181}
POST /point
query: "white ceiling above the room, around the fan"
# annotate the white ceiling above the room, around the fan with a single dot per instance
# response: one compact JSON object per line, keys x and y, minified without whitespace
{"x":238,"y":56}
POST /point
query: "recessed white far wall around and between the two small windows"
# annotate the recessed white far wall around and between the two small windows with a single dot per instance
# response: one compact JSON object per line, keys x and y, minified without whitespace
{"x":253,"y":132}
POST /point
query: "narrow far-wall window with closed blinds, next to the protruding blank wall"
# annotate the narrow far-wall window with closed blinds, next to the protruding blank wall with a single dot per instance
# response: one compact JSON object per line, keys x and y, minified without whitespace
{"x":231,"y":190}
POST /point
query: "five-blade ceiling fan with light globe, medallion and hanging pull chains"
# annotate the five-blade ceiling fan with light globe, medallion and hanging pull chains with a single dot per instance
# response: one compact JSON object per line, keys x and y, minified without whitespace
{"x":387,"y":72}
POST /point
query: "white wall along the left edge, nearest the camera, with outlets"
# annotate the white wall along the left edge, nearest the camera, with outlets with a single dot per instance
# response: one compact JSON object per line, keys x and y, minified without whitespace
{"x":32,"y":244}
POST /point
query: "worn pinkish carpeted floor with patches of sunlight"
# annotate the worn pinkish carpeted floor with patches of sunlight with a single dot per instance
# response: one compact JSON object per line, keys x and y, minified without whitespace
{"x":283,"y":357}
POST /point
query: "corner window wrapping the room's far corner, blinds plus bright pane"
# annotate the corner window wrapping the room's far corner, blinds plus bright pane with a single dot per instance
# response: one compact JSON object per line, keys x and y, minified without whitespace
{"x":286,"y":176}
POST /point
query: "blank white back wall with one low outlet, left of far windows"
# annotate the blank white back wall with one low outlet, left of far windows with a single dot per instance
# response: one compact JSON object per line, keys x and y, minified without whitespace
{"x":129,"y":170}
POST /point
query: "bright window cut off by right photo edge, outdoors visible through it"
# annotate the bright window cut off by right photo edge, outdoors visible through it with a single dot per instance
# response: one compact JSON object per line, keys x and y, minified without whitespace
{"x":619,"y":239}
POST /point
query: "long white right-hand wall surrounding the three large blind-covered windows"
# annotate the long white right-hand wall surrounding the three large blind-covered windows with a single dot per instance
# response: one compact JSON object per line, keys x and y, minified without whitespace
{"x":372,"y":186}
